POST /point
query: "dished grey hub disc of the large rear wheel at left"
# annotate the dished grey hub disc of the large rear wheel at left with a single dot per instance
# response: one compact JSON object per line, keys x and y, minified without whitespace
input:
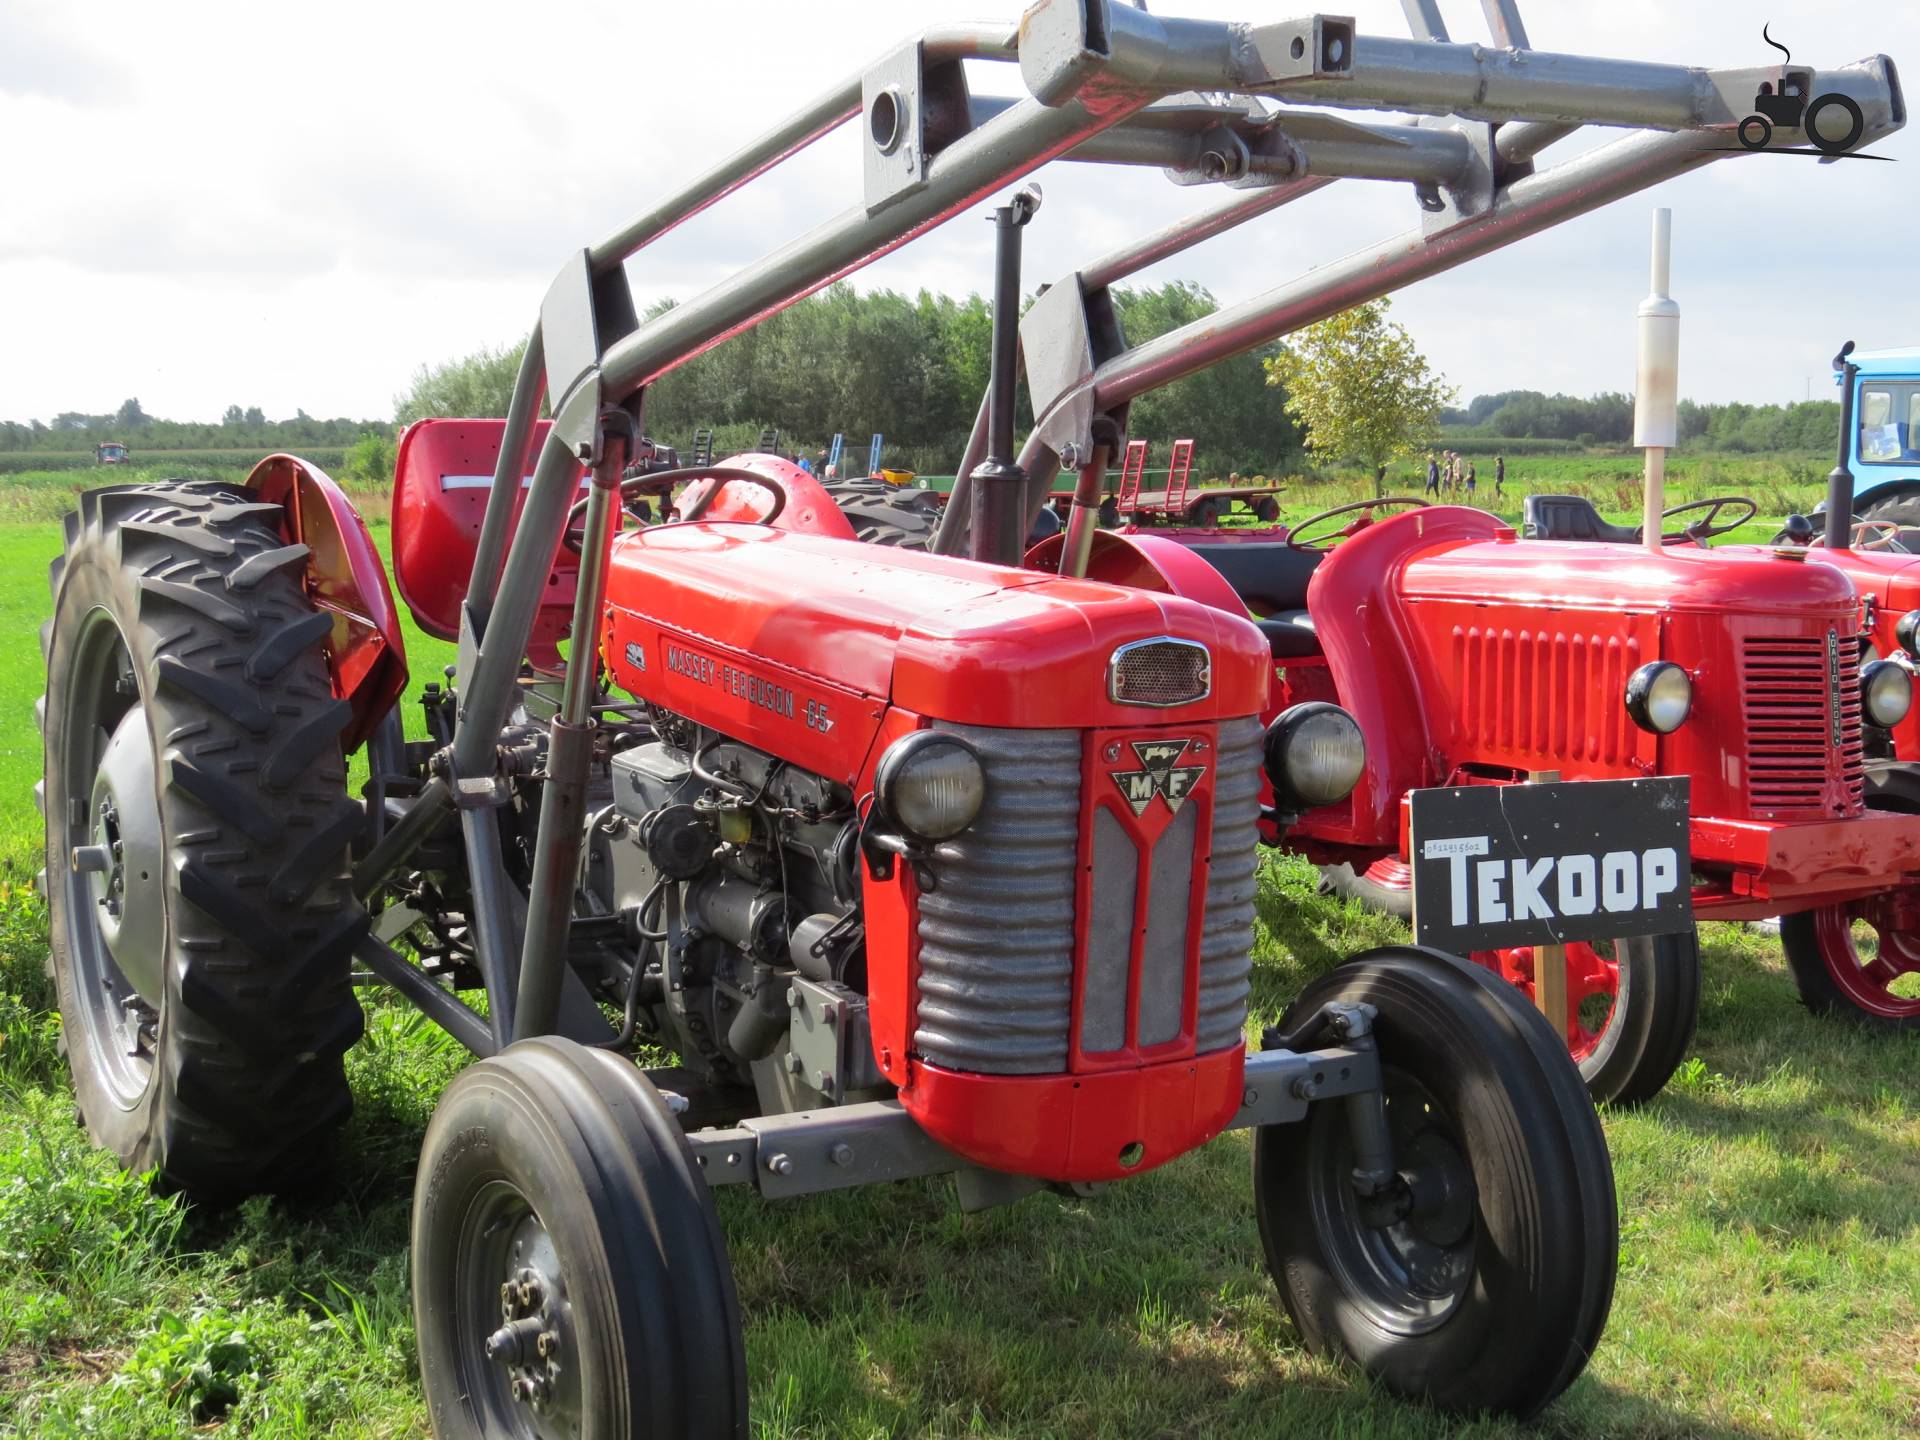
{"x":126,"y":859}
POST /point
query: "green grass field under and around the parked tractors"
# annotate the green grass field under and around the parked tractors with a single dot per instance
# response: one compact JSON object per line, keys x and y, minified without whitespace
{"x":1769,"y":1272}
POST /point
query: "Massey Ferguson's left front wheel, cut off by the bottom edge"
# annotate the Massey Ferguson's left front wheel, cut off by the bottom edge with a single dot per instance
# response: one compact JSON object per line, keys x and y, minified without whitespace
{"x":569,"y":1274}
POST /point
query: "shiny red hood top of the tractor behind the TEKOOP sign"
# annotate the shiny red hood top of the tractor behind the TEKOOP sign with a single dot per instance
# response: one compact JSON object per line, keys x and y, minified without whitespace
{"x":1620,"y":577}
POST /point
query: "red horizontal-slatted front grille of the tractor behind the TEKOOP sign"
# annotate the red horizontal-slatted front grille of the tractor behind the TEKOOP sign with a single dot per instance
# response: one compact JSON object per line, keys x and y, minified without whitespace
{"x":1804,"y":723}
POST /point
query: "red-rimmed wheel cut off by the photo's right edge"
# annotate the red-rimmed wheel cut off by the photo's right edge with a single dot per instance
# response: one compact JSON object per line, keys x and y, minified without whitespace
{"x":1860,"y":959}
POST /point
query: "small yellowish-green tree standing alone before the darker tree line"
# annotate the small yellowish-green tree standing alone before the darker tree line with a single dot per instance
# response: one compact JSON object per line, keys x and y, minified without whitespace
{"x":1360,"y":387}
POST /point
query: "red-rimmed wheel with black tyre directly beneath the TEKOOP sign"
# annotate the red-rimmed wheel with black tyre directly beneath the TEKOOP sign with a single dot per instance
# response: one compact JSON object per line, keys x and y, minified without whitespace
{"x":1631,"y":1009}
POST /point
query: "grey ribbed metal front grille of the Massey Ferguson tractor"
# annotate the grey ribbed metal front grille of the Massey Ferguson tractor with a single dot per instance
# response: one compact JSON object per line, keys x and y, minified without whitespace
{"x":997,"y":936}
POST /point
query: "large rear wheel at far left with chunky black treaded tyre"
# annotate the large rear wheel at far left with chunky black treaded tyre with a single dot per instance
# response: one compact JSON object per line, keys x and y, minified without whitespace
{"x":197,"y":842}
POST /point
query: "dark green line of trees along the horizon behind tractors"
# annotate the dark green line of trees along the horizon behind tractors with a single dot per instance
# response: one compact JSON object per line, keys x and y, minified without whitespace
{"x":913,"y":368}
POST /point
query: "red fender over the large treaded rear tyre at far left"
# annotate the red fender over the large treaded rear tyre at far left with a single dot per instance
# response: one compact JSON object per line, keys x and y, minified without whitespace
{"x":345,"y":577}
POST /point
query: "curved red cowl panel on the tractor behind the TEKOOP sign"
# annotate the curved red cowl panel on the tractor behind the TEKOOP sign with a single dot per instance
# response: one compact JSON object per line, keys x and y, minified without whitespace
{"x":1366,"y":635}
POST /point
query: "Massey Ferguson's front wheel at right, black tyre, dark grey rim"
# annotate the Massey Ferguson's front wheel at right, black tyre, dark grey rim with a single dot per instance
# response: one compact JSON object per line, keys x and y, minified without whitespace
{"x":1481,"y":1280}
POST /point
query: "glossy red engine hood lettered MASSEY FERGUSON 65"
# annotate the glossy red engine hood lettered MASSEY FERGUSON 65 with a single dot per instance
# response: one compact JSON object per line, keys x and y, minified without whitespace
{"x":953,"y":640}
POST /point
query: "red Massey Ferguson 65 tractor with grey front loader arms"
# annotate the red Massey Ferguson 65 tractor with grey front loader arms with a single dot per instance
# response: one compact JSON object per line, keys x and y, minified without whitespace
{"x":921,"y":865}
